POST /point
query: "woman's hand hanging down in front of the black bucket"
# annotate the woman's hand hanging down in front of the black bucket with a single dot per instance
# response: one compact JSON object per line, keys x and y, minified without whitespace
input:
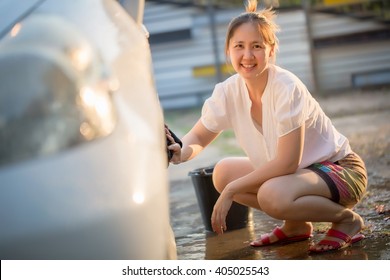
{"x":220,"y":211}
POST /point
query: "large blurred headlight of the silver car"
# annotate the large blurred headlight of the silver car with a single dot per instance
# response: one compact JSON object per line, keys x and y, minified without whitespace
{"x":54,"y":90}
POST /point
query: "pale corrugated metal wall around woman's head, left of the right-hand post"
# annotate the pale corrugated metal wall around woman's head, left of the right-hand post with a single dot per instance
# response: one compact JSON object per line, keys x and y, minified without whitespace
{"x":174,"y":62}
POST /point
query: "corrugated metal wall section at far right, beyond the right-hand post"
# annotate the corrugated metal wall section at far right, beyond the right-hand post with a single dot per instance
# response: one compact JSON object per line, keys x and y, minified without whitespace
{"x":338,"y":64}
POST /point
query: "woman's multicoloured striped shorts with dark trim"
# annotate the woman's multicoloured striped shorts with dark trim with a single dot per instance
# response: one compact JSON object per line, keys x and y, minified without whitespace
{"x":346,"y":178}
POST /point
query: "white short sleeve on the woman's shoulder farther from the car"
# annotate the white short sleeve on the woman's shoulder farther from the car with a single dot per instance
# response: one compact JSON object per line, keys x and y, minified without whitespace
{"x":290,"y":108}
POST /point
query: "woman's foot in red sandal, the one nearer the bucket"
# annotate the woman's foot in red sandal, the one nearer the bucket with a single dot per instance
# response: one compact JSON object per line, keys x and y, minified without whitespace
{"x":288,"y":233}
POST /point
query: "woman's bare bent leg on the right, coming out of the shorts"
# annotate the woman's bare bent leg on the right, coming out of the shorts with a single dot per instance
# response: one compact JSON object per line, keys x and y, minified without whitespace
{"x":304,"y":196}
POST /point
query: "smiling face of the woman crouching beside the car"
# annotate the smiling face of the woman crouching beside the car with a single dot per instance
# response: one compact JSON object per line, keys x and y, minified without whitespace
{"x":248,"y":52}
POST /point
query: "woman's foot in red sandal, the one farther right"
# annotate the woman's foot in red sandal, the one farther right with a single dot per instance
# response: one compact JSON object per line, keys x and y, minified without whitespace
{"x":341,"y":235}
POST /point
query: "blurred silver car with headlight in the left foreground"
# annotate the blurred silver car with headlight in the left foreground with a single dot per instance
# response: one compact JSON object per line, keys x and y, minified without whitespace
{"x":83,"y":164}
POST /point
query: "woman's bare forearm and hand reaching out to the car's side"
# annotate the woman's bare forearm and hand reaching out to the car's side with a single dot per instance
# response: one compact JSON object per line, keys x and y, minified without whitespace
{"x":193,"y":143}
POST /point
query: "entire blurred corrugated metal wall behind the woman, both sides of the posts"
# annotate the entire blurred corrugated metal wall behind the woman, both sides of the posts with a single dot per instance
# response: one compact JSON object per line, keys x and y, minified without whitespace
{"x":336,"y":65}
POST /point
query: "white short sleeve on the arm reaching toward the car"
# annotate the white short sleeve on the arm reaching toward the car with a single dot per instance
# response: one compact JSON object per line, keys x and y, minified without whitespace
{"x":214,"y":111}
